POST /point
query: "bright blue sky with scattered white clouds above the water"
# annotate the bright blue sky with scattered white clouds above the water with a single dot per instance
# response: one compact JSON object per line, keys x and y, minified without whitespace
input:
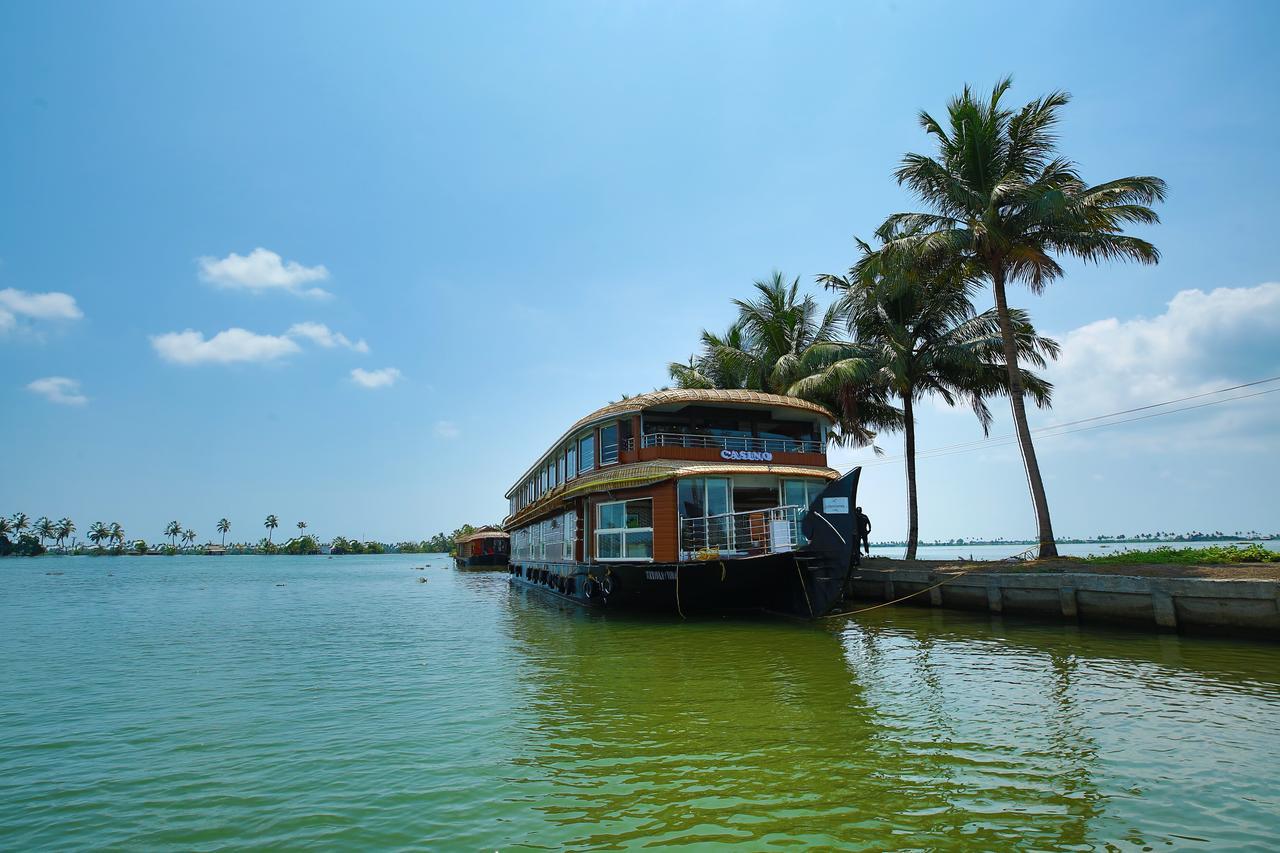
{"x":360,"y":264}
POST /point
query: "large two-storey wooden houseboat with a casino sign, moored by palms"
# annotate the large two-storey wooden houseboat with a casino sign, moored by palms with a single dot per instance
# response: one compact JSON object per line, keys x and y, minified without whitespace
{"x":689,"y":501}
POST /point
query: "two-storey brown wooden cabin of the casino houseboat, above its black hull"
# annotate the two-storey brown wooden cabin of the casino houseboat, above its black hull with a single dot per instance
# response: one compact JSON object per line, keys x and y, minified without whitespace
{"x":671,"y":477}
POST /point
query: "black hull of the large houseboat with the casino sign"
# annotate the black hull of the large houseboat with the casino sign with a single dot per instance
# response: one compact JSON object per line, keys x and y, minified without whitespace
{"x":793,"y":583}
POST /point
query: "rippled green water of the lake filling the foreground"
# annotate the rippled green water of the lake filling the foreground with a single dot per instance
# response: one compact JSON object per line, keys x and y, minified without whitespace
{"x":198,"y":704}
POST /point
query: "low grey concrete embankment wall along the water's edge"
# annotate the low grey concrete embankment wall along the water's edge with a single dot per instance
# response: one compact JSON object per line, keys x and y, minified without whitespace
{"x":1245,"y":606}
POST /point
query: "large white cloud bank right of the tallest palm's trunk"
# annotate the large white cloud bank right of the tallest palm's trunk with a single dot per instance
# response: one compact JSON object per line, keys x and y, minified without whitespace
{"x":1203,"y":343}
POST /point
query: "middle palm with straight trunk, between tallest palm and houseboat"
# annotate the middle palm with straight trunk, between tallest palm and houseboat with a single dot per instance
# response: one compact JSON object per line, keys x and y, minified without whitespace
{"x":917,"y":327}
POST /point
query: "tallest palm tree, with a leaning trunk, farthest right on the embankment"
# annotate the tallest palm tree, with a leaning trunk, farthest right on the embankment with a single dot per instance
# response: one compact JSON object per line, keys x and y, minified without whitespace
{"x":1003,"y":200}
